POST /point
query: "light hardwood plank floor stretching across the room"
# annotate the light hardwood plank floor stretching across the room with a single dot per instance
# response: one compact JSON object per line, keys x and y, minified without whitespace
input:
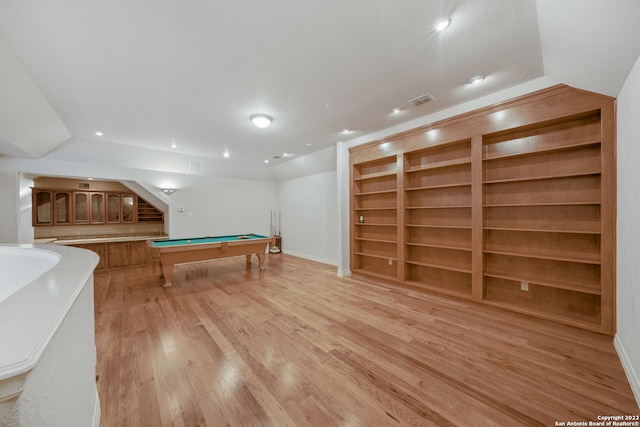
{"x":295,"y":345}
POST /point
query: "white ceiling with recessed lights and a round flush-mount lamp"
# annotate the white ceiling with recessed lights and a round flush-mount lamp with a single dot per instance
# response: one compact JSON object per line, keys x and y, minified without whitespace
{"x":148,"y":73}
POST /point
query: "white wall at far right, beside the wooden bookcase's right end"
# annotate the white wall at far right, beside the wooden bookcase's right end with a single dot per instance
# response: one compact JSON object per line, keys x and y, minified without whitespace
{"x":628,"y":228}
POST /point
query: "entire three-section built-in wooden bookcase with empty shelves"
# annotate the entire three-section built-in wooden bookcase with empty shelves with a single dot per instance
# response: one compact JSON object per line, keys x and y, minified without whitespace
{"x":512,"y":206}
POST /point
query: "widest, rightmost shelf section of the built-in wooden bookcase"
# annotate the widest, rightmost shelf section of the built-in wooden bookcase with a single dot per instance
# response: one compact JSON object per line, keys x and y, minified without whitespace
{"x":542,"y":210}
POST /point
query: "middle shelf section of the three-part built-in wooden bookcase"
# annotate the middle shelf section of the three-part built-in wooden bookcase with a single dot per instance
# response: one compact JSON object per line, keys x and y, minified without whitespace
{"x":437,"y":187}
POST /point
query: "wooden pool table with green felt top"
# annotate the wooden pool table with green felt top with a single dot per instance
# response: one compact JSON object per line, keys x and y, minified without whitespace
{"x":168,"y":252}
